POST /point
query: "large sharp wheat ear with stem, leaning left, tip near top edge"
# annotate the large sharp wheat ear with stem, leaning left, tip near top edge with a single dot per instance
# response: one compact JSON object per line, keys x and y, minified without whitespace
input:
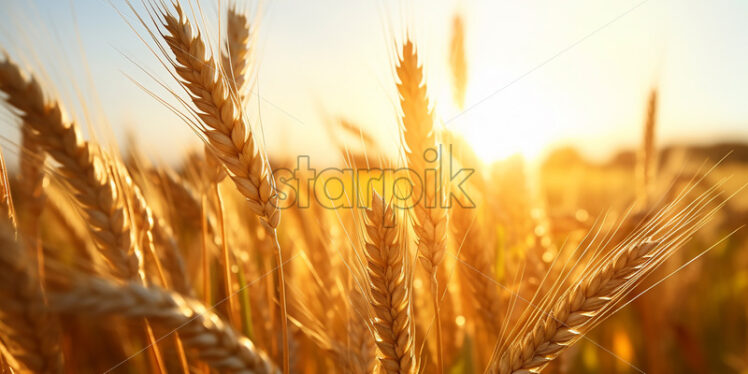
{"x":227,"y":132}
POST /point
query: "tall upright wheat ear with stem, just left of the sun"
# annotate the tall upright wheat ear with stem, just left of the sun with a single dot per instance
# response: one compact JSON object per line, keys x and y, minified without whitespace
{"x":419,"y":138}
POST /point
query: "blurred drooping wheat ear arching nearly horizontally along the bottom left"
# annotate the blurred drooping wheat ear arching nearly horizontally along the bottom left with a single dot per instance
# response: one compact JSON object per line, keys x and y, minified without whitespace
{"x":204,"y":334}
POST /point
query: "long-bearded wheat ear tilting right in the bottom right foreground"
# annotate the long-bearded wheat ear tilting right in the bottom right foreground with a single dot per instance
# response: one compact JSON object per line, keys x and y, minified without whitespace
{"x":607,"y":279}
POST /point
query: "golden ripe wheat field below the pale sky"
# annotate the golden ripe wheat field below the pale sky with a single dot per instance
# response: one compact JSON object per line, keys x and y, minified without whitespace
{"x":427,"y":259}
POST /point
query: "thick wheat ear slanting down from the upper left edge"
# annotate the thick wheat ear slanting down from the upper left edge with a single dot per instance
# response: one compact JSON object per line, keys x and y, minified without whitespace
{"x":86,"y":174}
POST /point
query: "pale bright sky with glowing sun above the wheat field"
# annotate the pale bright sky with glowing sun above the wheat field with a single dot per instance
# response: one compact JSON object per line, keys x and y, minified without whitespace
{"x":542,"y":73}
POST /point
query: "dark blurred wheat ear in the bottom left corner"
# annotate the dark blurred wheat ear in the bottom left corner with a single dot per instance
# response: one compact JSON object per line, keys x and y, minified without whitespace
{"x":30,"y":333}
